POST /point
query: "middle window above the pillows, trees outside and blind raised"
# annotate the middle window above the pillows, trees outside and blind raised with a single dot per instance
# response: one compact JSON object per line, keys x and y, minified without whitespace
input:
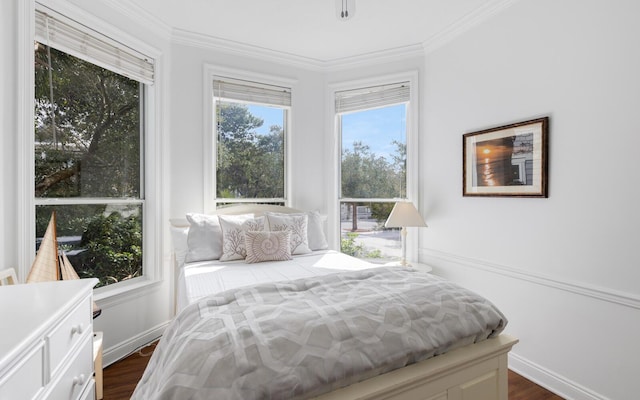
{"x":251,"y":125}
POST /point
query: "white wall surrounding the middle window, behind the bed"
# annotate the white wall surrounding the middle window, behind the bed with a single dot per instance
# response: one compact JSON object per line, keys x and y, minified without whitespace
{"x":188,"y":126}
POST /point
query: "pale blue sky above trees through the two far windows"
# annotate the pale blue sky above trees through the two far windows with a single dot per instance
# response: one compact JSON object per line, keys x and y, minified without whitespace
{"x":377,"y":128}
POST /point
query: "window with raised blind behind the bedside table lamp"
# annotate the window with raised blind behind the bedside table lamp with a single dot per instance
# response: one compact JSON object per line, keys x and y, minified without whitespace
{"x":372,"y":125}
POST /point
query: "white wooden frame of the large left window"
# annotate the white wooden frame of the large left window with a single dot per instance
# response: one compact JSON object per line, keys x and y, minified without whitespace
{"x":152,"y":139}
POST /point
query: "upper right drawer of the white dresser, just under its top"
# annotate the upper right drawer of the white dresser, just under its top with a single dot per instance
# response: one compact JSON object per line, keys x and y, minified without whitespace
{"x":66,"y":335}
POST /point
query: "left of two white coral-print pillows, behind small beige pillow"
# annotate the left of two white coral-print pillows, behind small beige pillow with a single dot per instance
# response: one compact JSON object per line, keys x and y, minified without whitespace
{"x":233,"y":229}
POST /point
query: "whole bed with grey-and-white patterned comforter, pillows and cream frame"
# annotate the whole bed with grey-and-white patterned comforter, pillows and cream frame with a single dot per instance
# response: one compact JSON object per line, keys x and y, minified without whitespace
{"x":325,"y":341}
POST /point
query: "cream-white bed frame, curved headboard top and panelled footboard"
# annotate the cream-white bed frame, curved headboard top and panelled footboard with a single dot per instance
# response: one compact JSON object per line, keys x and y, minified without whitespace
{"x":474,"y":372}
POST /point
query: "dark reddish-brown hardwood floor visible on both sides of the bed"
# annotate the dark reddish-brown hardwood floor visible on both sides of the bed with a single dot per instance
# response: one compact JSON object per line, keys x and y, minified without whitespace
{"x":120,"y":380}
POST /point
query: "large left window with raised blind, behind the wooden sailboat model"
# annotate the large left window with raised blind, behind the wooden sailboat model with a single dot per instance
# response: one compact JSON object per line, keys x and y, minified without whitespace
{"x":88,"y":147}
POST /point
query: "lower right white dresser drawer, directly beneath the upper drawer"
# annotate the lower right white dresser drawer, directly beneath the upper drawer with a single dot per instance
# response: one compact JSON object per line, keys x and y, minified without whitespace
{"x":77,"y":377}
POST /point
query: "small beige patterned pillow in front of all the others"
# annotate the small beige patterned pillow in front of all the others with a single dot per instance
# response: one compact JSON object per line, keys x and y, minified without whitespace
{"x":267,"y":246}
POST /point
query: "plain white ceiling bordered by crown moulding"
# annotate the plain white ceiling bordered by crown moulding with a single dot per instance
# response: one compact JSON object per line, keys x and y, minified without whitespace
{"x":311,"y":29}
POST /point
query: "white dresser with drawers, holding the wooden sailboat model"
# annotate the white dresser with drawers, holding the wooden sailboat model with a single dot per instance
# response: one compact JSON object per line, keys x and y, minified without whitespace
{"x":46,"y":340}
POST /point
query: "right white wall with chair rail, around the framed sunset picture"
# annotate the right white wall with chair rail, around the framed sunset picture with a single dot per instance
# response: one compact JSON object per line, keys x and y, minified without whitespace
{"x":565,"y":270}
